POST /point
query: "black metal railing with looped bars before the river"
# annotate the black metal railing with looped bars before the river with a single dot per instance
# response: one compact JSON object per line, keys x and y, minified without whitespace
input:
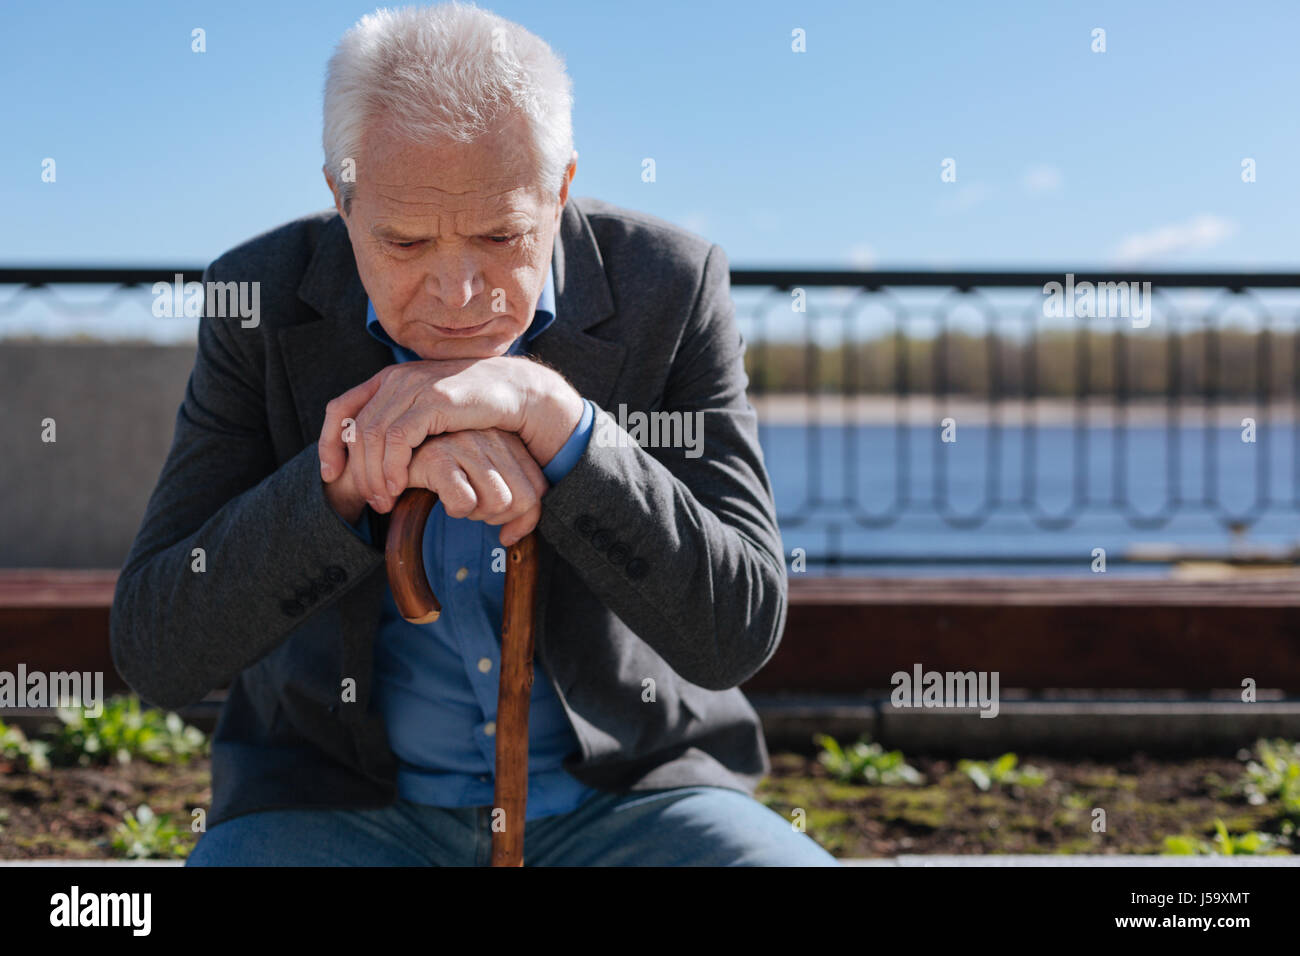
{"x":1185,"y":422}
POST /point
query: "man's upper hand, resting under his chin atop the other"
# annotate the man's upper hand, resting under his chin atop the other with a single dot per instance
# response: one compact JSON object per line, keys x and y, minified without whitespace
{"x":402,"y":405}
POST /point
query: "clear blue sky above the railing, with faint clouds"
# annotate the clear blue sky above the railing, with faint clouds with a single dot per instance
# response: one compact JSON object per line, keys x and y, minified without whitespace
{"x":1065,"y":158}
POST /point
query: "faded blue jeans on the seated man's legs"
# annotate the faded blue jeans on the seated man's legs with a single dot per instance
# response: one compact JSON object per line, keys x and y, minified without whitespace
{"x":683,"y":827}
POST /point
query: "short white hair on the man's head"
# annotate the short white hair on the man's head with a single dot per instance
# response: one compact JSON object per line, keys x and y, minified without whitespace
{"x":448,"y":72}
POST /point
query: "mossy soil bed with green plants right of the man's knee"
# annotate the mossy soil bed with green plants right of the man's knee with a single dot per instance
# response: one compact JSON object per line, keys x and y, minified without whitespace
{"x":1138,"y":806}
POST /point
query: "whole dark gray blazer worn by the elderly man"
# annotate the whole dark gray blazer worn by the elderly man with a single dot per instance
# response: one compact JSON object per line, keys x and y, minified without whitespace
{"x":655,"y":565}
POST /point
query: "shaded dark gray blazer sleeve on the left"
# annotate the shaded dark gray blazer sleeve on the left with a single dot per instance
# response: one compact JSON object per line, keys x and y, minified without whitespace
{"x":274,"y":551}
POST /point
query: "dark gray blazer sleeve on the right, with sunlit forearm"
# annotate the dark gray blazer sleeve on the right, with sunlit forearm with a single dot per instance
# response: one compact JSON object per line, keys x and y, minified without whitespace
{"x":684,"y":550}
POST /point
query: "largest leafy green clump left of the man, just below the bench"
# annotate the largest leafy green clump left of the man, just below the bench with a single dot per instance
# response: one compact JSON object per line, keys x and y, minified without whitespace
{"x":124,"y":732}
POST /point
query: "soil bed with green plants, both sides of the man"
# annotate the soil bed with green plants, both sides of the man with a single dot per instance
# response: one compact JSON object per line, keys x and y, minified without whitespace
{"x":129,"y":785}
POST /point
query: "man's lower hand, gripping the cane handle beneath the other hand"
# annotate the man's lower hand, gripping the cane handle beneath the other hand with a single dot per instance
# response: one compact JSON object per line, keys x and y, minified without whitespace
{"x":484,"y":475}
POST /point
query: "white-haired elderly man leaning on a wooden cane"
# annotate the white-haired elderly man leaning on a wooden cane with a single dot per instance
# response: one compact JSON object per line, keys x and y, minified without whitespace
{"x":463,"y":326}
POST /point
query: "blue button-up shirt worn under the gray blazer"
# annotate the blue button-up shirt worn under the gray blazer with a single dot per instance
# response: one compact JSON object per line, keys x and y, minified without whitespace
{"x":436,"y":685}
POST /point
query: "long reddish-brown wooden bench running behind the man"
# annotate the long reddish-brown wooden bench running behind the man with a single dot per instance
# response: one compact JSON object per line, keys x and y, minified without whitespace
{"x":850,"y":635}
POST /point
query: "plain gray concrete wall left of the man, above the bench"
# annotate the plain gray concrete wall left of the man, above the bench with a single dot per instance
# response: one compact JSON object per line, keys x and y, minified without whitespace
{"x":79,"y":501}
